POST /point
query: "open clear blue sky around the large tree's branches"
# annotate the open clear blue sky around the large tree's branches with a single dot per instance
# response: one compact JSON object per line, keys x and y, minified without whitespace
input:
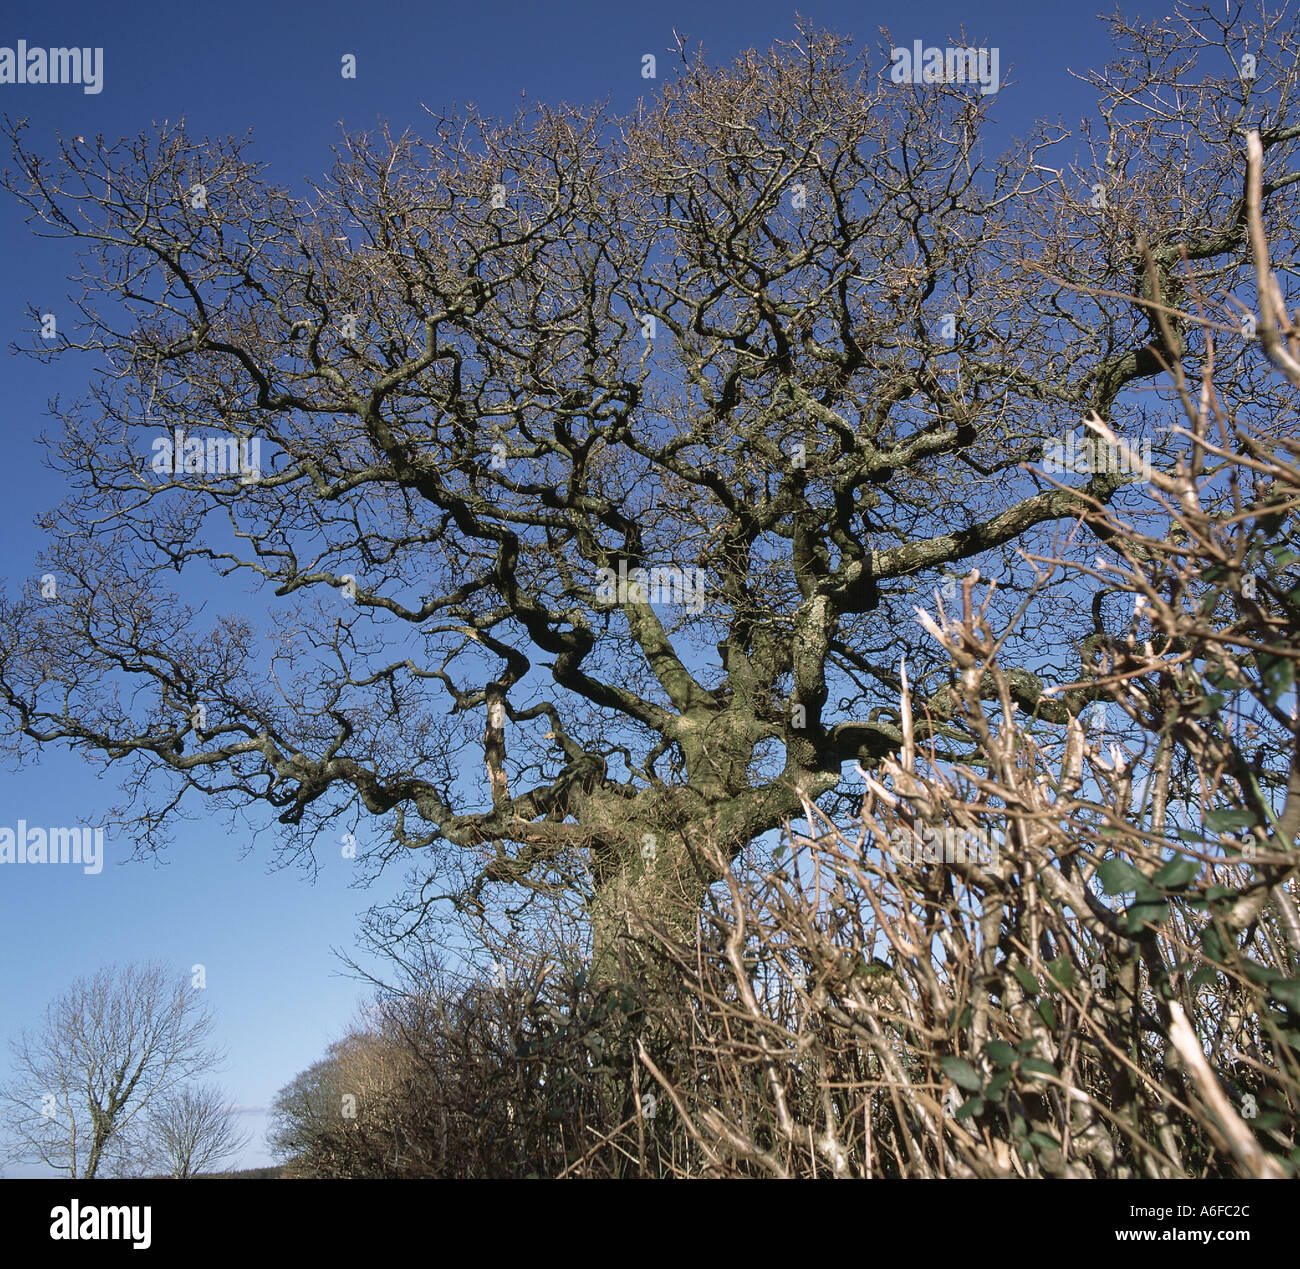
{"x":266,"y":937}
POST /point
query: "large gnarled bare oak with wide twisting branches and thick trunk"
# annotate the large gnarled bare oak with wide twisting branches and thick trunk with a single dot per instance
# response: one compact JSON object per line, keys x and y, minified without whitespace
{"x":787,"y":341}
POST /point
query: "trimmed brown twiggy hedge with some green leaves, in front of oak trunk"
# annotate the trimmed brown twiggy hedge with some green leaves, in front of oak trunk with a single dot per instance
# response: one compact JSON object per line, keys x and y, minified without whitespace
{"x":1074,"y":954}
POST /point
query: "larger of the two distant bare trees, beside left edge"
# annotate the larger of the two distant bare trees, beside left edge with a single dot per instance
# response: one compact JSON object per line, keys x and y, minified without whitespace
{"x":110,"y":1049}
